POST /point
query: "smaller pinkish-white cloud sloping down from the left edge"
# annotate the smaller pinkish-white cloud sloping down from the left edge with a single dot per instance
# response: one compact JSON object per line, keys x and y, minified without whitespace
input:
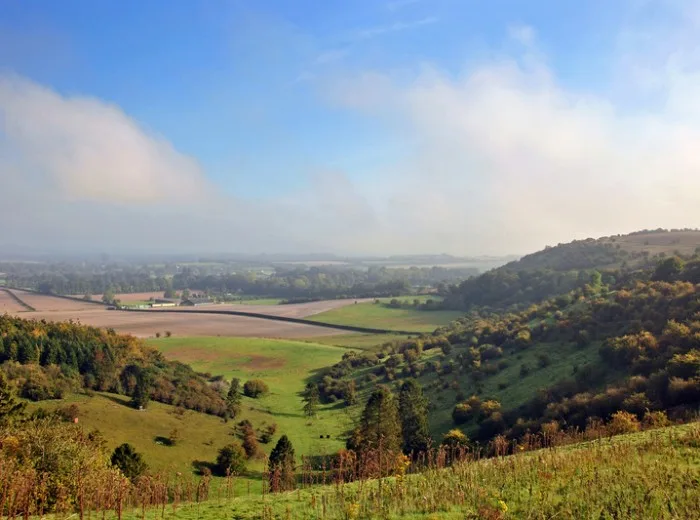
{"x":91,"y":150}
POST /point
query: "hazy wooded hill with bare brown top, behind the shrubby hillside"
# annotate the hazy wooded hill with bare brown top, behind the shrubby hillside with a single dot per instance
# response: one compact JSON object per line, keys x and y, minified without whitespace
{"x":562,"y":268}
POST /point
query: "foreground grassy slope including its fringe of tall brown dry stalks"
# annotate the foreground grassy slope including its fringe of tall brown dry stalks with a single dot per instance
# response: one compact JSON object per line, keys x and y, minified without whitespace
{"x":652,"y":474}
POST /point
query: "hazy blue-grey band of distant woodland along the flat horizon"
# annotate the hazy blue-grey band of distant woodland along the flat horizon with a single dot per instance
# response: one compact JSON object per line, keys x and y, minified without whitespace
{"x":284,"y":282}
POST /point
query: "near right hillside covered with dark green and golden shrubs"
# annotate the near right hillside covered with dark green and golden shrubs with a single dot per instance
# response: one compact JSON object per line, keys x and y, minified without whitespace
{"x":614,"y":343}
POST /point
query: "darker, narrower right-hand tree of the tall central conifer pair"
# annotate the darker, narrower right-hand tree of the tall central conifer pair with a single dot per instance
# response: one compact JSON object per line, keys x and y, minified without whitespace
{"x":413,"y":410}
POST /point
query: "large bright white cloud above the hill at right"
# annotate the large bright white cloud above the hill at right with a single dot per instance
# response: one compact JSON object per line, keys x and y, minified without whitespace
{"x":508,"y":159}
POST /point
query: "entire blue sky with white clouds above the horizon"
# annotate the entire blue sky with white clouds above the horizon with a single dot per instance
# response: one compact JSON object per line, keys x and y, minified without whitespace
{"x":466,"y":127}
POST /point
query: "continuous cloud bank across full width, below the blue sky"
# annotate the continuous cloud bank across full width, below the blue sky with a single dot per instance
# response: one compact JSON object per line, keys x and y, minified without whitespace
{"x":503,"y":157}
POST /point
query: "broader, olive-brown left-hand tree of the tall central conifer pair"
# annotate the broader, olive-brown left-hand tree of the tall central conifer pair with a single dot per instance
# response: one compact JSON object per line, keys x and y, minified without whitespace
{"x":380,"y":426}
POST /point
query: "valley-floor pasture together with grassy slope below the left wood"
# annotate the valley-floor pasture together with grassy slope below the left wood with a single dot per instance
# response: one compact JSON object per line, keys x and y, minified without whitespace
{"x":283,"y":365}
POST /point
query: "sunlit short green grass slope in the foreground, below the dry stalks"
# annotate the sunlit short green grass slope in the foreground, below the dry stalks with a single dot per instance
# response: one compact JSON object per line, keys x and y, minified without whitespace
{"x":653,"y":474}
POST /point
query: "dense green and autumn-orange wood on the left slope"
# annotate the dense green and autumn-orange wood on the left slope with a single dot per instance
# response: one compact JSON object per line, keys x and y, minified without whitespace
{"x":46,"y":360}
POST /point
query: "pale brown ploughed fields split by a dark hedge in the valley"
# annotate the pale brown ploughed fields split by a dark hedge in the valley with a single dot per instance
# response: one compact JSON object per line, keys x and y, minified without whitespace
{"x":181,"y":324}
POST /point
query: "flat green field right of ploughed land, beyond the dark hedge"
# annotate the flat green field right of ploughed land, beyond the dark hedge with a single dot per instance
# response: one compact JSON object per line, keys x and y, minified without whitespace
{"x":377,"y":315}
